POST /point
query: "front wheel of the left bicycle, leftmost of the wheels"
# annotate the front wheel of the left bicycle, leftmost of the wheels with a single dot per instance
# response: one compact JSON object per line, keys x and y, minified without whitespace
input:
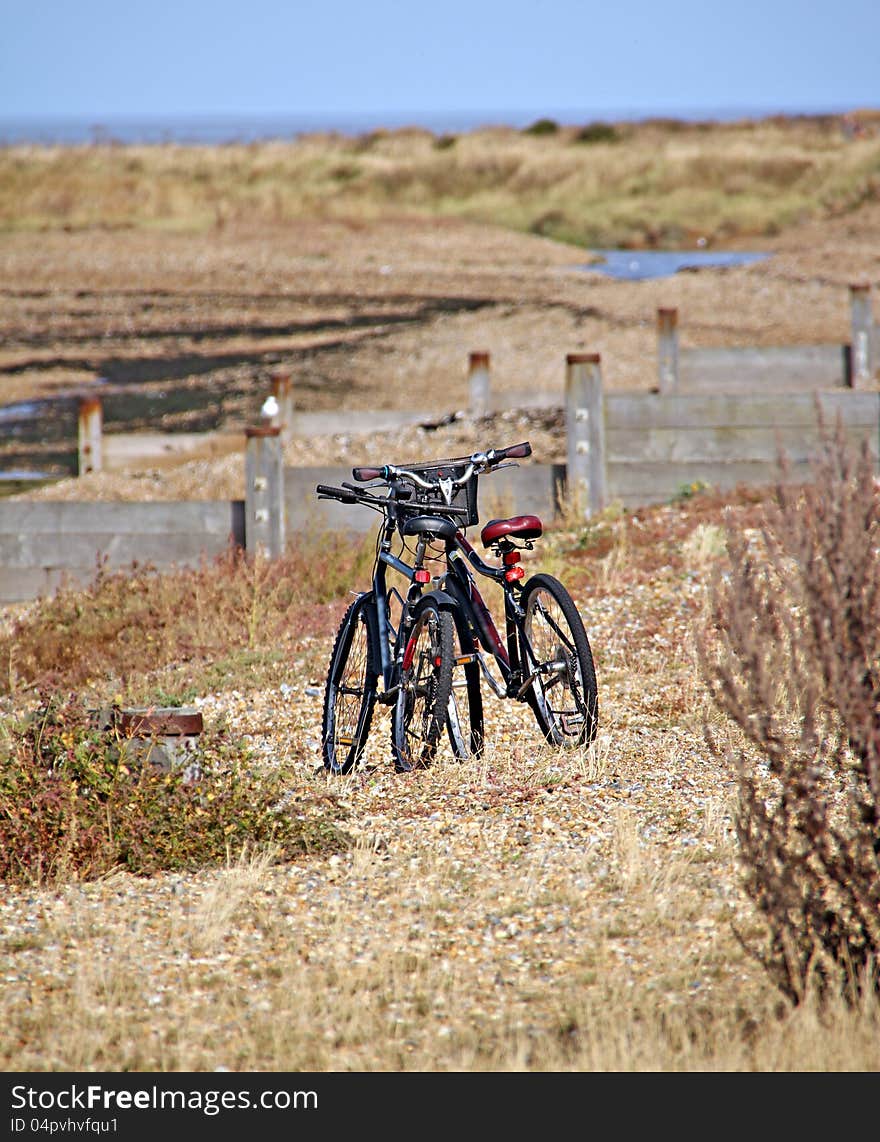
{"x":351,"y":688}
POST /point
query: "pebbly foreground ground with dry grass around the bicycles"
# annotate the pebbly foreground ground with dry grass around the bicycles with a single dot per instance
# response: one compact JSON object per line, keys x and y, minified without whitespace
{"x":537,"y":911}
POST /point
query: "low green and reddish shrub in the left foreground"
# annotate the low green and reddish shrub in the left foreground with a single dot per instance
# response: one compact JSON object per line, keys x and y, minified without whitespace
{"x":77,"y":805}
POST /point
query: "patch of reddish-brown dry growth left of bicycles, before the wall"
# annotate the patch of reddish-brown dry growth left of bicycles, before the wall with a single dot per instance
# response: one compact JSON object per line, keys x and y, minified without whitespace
{"x":138,"y":620}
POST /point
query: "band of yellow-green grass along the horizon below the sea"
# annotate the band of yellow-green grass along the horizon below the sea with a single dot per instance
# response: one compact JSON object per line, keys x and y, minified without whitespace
{"x":659,"y":183}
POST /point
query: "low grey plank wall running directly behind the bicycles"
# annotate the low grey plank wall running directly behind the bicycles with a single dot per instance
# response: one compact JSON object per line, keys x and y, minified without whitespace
{"x":653,"y":446}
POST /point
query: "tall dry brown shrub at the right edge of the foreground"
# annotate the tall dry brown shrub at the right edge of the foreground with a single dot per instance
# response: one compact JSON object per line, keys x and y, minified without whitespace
{"x":792,"y":654}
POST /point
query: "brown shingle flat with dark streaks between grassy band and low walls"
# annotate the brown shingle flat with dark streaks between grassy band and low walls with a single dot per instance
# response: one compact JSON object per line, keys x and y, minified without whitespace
{"x":370,"y":317}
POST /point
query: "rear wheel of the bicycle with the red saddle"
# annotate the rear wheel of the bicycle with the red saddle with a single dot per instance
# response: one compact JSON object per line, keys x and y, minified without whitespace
{"x":556,"y":654}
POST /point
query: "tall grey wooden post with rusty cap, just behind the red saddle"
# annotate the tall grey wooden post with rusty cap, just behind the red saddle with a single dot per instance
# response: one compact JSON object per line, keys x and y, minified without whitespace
{"x":585,"y":425}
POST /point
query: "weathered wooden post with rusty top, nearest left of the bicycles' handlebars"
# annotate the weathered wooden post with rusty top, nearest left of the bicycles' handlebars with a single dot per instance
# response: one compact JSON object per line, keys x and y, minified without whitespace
{"x":264,"y":492}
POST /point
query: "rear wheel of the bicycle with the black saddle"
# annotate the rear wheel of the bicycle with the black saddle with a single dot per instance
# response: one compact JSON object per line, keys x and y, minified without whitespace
{"x":425,"y":688}
